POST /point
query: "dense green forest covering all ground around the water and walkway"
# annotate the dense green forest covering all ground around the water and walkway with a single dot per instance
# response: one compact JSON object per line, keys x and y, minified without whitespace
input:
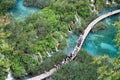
{"x":25,"y":45}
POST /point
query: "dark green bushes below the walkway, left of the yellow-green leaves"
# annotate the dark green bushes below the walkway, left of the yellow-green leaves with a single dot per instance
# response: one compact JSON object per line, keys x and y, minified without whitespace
{"x":79,"y":69}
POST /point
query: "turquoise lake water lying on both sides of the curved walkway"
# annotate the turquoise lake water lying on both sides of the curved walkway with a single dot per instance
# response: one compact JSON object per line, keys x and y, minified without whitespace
{"x":101,"y":42}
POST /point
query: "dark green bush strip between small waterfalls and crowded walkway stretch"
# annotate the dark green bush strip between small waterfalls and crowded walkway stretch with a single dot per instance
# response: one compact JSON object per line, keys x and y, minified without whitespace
{"x":51,"y":61}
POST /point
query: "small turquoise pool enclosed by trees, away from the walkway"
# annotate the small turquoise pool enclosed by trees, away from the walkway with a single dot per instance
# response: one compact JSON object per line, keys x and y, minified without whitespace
{"x":21,"y":11}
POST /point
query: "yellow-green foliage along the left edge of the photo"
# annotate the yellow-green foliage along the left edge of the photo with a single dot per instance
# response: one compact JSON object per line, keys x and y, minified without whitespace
{"x":4,"y":48}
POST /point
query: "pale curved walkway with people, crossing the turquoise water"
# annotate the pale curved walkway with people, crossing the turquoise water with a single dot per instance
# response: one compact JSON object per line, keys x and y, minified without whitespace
{"x":79,"y":44}
